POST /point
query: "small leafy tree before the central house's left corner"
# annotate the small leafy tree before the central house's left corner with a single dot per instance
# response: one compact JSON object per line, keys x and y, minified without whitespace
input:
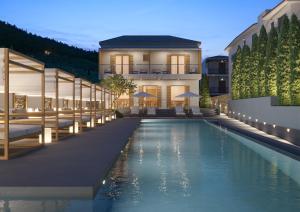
{"x":118,"y":85}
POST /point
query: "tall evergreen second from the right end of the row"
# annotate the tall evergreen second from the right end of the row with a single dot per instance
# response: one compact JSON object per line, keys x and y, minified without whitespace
{"x":283,"y":63}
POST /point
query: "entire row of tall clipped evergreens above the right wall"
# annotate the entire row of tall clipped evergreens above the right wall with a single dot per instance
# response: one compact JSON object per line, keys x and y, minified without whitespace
{"x":272,"y":66}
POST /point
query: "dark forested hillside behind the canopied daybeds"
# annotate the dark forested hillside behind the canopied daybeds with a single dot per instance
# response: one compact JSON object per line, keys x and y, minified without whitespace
{"x":54,"y":54}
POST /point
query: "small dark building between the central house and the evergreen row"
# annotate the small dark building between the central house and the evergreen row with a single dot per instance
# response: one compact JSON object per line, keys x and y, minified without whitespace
{"x":216,"y":69}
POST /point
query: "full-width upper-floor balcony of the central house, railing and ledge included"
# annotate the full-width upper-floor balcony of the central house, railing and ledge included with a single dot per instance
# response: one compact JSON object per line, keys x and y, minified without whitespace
{"x":153,"y":71}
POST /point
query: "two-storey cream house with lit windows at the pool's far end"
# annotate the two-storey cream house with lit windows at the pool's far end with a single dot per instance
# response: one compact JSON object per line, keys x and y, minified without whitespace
{"x":164,"y":66}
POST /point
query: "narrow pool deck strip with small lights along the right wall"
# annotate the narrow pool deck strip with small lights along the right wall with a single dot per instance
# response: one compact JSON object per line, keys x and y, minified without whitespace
{"x":261,"y":137}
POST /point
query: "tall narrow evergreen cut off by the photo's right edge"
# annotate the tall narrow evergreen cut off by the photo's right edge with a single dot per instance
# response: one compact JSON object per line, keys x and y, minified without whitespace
{"x":294,"y":36}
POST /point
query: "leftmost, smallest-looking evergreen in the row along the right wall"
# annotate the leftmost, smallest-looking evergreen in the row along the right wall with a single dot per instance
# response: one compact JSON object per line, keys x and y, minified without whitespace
{"x":235,"y":75}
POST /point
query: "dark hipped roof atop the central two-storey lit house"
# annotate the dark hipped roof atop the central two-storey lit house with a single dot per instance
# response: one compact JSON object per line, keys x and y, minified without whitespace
{"x":149,"y":42}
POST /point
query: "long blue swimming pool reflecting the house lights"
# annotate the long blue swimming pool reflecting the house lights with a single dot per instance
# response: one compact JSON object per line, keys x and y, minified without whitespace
{"x":188,"y":165}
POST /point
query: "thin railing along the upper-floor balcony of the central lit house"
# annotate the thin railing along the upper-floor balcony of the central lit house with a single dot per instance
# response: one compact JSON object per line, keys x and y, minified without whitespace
{"x":150,"y":69}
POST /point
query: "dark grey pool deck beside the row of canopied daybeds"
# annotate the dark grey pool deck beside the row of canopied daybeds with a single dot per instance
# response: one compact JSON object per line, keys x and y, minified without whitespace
{"x":72,"y":168}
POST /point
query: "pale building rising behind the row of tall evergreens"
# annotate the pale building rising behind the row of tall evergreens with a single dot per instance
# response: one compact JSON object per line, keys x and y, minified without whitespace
{"x":267,"y":18}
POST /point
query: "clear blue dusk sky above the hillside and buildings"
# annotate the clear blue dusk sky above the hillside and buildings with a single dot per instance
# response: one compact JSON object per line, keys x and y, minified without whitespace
{"x":85,"y":22}
